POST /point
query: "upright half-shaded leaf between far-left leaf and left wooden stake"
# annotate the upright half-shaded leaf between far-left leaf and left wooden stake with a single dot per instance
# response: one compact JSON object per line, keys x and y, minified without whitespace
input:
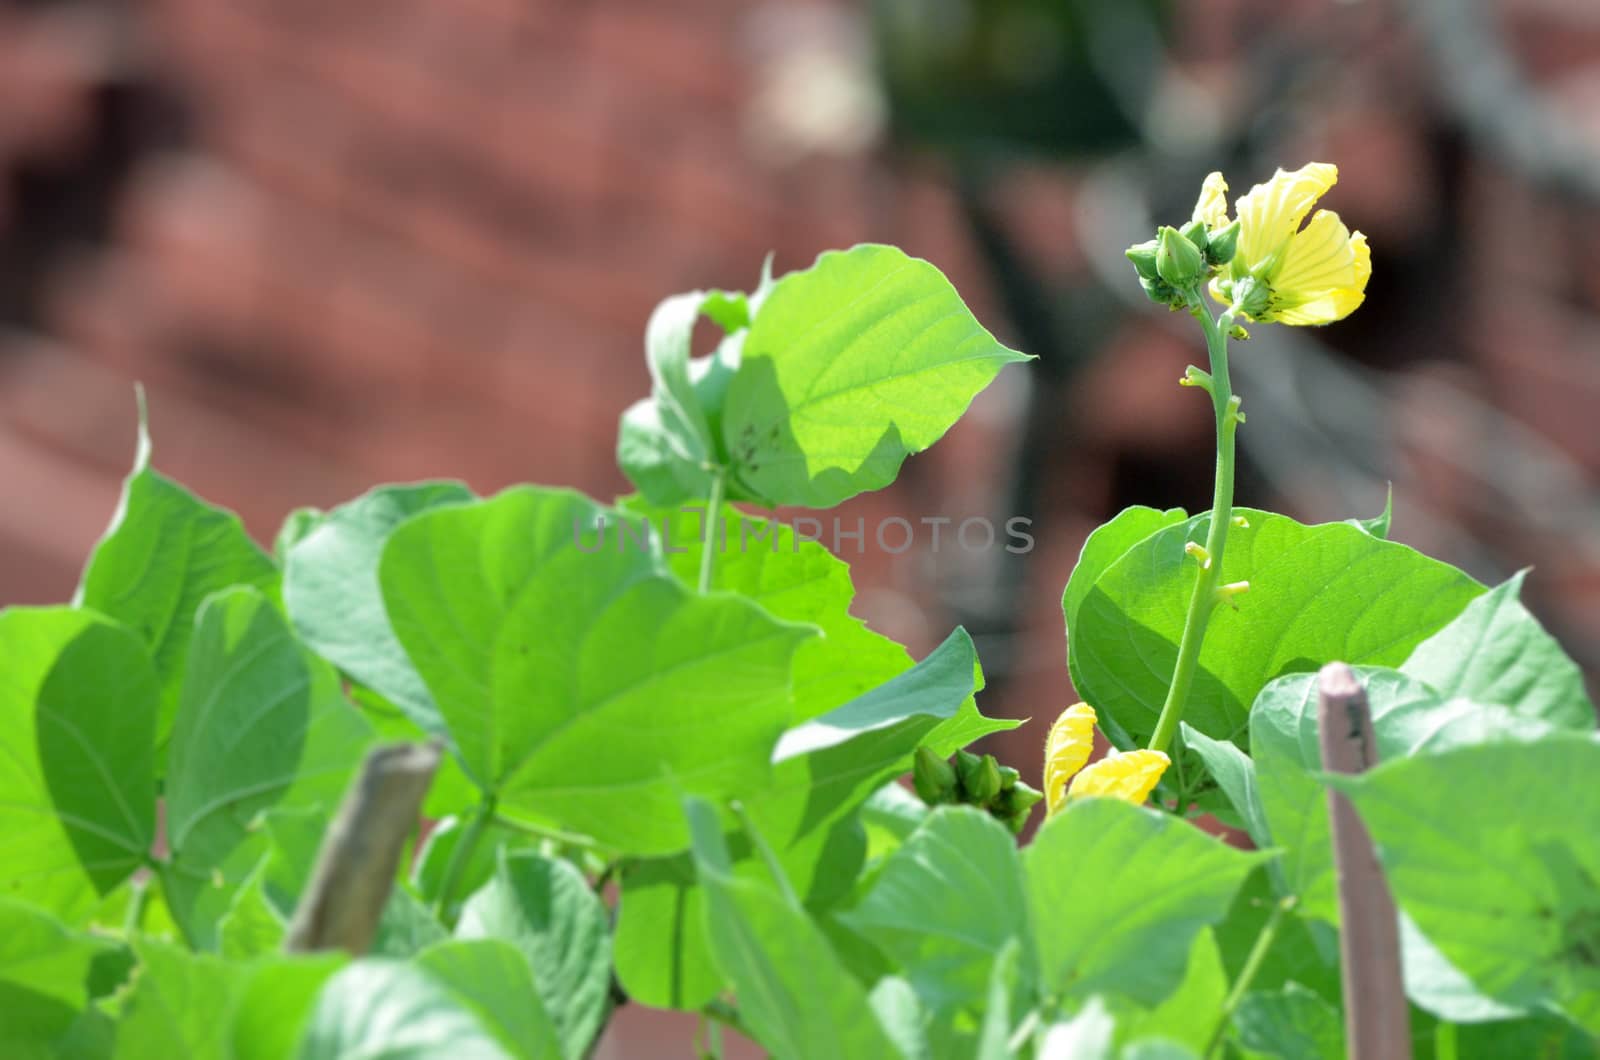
{"x":262,"y":725}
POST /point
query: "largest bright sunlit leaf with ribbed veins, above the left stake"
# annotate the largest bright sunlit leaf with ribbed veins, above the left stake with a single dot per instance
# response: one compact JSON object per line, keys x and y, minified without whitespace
{"x":542,"y":654}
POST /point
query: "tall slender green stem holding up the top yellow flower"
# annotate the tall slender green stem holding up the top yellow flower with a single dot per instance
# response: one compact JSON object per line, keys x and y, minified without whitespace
{"x":1204,"y":600}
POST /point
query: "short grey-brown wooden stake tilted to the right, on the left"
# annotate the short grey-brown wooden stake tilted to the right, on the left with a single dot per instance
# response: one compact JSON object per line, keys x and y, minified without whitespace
{"x":358,"y":862}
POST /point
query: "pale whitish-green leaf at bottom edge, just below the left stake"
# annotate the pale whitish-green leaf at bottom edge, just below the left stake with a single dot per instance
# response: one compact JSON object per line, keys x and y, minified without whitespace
{"x":391,"y":1010}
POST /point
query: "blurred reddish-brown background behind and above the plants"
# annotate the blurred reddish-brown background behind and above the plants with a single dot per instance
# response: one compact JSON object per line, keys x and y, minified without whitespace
{"x":358,"y":243}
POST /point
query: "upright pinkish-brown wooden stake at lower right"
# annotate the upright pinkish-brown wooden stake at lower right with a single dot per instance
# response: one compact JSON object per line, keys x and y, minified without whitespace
{"x":1377,"y":1026}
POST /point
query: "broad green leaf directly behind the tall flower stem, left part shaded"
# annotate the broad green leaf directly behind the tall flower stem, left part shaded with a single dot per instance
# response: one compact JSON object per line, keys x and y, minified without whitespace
{"x":1316,"y":595}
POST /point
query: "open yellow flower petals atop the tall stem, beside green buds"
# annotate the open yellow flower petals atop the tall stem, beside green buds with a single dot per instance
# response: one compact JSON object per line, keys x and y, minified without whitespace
{"x":1297,"y":276}
